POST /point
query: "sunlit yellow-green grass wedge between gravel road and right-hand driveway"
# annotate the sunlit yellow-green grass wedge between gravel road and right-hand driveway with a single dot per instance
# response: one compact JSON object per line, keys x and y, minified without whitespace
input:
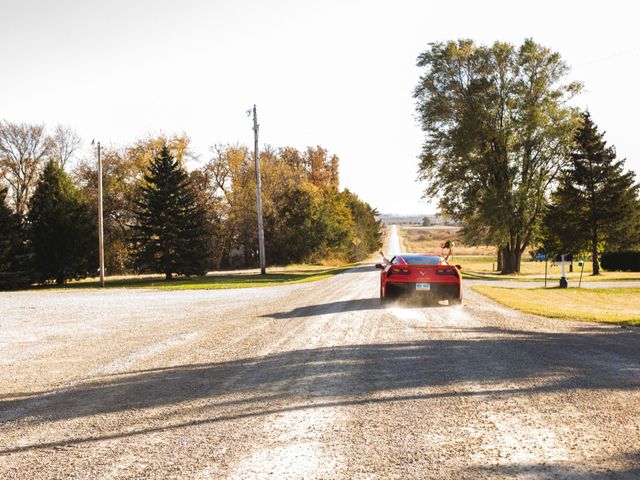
{"x":608,"y":305}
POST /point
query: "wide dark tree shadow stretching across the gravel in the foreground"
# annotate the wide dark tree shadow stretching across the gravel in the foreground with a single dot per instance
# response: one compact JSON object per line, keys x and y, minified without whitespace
{"x":503,"y":365}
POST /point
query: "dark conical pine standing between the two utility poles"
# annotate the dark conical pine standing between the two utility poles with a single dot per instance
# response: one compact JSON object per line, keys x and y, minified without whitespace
{"x":168,"y":236}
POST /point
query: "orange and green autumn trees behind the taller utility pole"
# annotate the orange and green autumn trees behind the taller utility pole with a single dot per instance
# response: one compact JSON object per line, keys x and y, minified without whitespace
{"x":306,"y":217}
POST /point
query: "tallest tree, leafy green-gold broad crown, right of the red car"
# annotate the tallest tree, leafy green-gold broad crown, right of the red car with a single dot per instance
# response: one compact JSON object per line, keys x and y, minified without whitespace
{"x":497,"y":131}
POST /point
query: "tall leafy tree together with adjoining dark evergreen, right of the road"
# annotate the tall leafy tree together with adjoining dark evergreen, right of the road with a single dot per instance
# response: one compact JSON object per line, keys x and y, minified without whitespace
{"x":507,"y":155}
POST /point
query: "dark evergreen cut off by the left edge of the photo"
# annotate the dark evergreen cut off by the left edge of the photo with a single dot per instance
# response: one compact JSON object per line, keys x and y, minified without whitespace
{"x":14,"y":256}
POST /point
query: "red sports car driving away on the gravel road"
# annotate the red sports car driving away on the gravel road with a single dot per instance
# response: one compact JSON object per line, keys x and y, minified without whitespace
{"x":426,"y":276}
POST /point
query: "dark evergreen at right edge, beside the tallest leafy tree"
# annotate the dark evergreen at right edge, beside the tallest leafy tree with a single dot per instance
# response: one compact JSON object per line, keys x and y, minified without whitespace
{"x":596,"y":202}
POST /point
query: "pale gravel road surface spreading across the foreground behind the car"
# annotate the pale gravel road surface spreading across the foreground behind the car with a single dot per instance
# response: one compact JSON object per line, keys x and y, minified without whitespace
{"x":313,"y":380}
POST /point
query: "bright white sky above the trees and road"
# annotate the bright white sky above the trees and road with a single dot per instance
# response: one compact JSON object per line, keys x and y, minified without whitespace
{"x":334,"y":73}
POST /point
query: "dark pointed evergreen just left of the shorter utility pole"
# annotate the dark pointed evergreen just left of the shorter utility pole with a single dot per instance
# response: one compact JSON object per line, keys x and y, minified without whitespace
{"x":62,"y":230}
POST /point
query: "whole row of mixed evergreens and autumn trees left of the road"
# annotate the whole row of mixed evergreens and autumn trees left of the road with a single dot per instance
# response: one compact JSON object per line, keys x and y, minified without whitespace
{"x":160,"y":217}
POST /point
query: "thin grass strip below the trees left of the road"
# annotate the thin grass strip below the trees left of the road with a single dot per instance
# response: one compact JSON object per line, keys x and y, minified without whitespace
{"x":275,"y":276}
